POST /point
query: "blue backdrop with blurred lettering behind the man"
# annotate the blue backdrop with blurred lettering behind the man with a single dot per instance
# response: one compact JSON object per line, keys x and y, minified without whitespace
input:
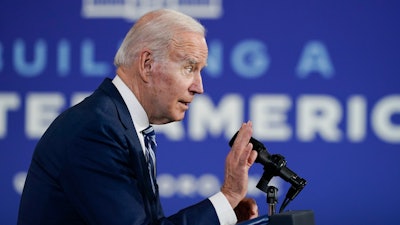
{"x":319,"y":79}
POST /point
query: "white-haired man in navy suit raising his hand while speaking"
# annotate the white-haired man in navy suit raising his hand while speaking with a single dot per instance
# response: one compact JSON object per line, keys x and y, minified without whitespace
{"x":91,"y":166}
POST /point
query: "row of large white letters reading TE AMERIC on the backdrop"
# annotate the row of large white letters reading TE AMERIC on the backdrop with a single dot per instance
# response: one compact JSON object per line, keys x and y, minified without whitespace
{"x":315,"y":116}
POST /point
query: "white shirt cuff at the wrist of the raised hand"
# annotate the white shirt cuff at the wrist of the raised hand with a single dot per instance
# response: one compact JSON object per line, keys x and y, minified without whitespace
{"x":224,"y":210}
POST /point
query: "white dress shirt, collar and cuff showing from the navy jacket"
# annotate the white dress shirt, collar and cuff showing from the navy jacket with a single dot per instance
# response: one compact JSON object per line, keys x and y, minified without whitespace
{"x":224,"y":211}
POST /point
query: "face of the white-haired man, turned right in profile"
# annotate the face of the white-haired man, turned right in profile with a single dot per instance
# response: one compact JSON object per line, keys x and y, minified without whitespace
{"x":176,"y":80}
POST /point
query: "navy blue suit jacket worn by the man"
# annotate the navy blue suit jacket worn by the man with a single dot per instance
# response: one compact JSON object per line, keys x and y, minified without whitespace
{"x":89,"y":168}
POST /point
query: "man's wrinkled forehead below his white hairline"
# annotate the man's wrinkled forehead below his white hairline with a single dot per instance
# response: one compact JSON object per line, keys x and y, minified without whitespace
{"x":190,"y":47}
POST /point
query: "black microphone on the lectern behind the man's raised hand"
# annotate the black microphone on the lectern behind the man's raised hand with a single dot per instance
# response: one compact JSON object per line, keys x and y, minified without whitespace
{"x":274,"y":165}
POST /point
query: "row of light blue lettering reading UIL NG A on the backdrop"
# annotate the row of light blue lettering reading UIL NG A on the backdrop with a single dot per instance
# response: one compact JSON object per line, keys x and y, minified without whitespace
{"x":248,"y":59}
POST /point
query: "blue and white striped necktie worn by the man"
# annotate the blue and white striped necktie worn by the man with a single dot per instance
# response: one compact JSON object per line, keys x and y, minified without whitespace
{"x":150,"y":144}
